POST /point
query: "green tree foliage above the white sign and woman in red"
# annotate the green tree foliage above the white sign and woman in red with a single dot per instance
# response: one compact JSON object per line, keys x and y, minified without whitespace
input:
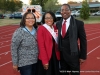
{"x":47,"y":5}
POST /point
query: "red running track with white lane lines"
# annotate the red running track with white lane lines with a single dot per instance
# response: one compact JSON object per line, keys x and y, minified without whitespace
{"x":90,"y":67}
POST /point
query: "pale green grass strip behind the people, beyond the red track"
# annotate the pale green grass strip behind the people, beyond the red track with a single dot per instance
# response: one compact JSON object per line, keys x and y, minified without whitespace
{"x":7,"y":21}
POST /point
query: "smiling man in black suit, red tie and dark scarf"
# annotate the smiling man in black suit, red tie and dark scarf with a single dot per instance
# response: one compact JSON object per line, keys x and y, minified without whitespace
{"x":70,"y":30}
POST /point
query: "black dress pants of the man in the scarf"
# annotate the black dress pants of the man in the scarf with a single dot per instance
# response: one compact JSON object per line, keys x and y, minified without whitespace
{"x":69,"y":67}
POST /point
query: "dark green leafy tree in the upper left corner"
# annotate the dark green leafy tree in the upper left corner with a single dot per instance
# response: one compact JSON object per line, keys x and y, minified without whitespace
{"x":10,"y":5}
